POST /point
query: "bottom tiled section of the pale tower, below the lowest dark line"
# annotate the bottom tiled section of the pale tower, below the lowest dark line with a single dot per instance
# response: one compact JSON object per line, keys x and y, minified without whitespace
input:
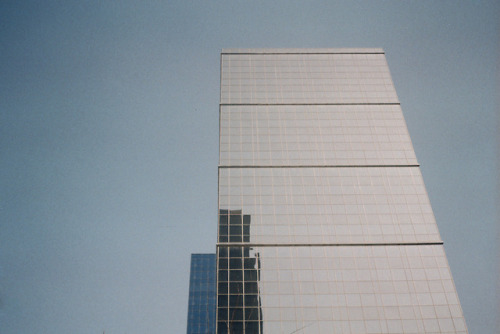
{"x":346,"y":289}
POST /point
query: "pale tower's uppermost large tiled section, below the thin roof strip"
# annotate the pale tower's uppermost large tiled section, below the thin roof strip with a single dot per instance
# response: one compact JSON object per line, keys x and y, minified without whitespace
{"x":309,"y":79}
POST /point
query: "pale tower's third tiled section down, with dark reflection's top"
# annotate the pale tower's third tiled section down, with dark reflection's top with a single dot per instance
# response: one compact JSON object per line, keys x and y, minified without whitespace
{"x":324,"y":205}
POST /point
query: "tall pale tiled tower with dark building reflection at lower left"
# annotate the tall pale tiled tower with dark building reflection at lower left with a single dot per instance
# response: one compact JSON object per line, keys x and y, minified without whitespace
{"x":325,"y":225}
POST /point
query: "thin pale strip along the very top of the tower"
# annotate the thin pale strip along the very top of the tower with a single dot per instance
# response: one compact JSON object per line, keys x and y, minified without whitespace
{"x":302,"y":51}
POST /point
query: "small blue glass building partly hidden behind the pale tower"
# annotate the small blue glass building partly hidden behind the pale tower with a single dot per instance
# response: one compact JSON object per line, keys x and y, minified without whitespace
{"x":202,"y":294}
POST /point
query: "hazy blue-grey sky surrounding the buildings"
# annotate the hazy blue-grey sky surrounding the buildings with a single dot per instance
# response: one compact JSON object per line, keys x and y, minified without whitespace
{"x":109,"y":144}
